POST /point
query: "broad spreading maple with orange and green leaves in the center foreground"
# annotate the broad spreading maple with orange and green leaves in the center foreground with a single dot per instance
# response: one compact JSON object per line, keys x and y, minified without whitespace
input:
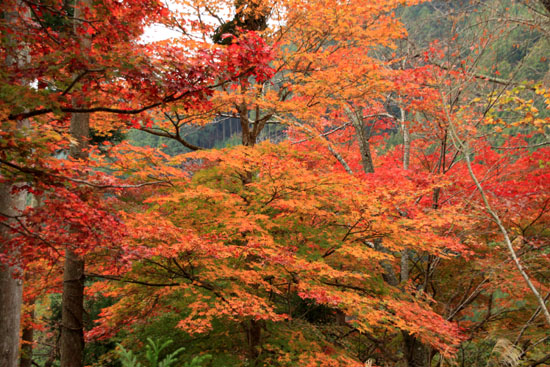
{"x":266,"y":246}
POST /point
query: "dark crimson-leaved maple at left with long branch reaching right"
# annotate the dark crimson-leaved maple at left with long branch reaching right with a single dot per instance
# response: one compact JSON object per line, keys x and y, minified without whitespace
{"x":80,"y":60}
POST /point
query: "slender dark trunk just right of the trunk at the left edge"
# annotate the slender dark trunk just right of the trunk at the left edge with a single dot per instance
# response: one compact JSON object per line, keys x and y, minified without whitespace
{"x":72,"y":333}
